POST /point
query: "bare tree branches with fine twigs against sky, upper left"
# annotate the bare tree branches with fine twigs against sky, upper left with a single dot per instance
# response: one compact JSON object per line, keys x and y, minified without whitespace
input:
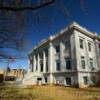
{"x":12,"y":25}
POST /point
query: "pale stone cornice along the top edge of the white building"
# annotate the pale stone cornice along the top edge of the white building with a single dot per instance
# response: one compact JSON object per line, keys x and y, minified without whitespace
{"x":72,"y":25}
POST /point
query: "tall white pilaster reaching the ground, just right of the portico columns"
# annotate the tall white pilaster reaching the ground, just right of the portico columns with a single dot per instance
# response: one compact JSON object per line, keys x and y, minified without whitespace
{"x":51,"y":62}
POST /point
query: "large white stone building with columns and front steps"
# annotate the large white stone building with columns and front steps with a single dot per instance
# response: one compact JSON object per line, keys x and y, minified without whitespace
{"x":68,"y":58}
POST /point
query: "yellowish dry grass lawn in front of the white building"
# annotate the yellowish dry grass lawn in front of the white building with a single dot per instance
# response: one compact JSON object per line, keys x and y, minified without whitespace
{"x":49,"y":93}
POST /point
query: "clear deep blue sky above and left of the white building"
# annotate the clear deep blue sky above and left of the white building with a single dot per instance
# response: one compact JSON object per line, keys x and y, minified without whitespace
{"x":52,"y":20}
